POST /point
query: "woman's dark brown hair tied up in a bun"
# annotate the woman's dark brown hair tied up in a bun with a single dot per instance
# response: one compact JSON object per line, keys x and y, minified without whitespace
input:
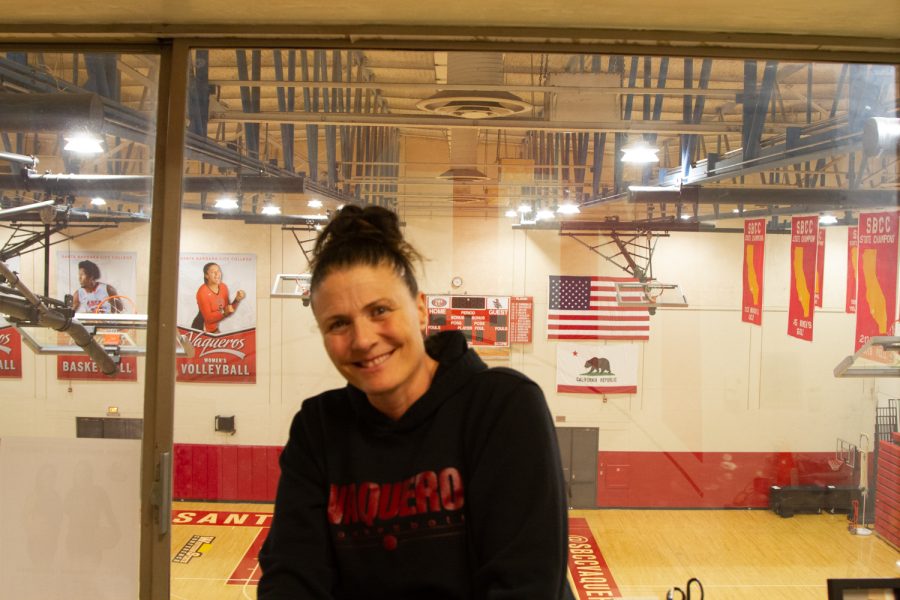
{"x":363,"y":236}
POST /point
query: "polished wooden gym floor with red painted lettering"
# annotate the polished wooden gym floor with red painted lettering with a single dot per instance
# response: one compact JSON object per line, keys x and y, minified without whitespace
{"x":634,"y":554}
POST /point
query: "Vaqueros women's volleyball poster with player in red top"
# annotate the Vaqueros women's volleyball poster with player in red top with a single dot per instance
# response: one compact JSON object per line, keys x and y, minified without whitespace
{"x":217,"y":314}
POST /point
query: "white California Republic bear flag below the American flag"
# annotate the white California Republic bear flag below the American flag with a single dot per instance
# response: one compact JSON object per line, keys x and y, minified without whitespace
{"x":596,"y":369}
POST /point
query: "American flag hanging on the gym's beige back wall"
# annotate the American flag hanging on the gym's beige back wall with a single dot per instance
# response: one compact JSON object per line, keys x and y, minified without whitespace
{"x":585,"y":308}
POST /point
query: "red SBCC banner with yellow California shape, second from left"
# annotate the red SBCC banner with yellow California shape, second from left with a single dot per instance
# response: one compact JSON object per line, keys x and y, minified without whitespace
{"x":804,"y":240}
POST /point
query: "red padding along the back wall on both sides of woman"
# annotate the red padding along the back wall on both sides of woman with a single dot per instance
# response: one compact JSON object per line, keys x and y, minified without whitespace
{"x":624,"y":479}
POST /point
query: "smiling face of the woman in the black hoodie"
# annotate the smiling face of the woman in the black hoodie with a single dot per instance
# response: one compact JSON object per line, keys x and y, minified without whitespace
{"x":372,"y":329}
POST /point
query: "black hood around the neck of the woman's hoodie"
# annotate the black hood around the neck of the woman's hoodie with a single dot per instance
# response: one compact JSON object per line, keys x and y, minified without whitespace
{"x":457,"y":363}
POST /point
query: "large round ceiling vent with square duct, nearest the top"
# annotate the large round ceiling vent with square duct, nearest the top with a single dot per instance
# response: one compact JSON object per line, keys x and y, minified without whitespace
{"x":474,"y":68}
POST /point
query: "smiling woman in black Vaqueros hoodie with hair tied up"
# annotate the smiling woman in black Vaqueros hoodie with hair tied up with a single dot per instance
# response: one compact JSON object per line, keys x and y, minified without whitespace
{"x":428,"y":475}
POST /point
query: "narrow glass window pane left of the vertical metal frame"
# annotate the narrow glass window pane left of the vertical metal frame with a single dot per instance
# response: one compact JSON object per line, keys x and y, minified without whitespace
{"x":77,"y":133}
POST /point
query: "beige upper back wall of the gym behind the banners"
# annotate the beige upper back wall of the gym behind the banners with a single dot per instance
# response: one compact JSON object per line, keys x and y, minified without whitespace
{"x":707,"y":381}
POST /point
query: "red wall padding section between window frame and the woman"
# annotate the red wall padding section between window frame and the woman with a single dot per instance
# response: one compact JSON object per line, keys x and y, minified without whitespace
{"x":237,"y":473}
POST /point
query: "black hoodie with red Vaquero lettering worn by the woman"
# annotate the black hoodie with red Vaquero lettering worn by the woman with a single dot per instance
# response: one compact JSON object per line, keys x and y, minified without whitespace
{"x":461,"y":498}
